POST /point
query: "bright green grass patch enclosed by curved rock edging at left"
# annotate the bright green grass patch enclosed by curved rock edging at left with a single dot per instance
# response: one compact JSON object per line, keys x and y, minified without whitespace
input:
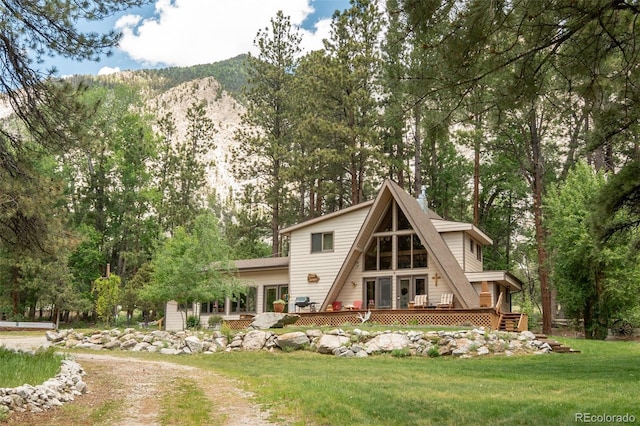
{"x":19,"y":368}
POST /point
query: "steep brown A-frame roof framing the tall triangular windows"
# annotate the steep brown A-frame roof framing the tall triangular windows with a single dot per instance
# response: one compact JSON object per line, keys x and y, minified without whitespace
{"x":429,"y":236}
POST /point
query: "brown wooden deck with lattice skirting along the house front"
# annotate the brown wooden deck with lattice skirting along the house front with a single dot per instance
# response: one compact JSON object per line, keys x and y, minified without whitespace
{"x":481,"y":317}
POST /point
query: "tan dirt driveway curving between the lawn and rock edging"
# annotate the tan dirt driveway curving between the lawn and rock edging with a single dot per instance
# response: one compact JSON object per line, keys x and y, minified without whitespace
{"x":136,"y":388}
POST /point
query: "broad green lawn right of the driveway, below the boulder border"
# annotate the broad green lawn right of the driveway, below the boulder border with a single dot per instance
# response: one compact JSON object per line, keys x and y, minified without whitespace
{"x":383,"y":390}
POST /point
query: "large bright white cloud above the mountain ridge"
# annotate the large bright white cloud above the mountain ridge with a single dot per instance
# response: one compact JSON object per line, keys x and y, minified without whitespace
{"x":189,"y":32}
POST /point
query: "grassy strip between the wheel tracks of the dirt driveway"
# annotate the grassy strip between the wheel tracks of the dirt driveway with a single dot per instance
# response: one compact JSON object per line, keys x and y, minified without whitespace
{"x":185,"y":404}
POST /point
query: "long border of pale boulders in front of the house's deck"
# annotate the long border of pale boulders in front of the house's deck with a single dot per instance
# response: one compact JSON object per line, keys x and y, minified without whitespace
{"x":357,"y":343}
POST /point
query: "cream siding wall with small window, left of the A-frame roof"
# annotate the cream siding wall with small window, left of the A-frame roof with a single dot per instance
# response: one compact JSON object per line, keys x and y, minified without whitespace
{"x":325,"y":265}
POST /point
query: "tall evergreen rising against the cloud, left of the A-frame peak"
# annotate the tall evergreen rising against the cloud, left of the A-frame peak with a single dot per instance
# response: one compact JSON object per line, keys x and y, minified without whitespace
{"x":266,"y":143}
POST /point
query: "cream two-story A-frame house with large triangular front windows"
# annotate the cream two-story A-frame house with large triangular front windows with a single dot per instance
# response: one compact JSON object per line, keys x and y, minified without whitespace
{"x":376,"y":255}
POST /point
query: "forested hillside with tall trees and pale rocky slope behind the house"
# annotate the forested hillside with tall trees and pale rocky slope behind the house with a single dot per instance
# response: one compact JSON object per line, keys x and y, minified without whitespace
{"x":520,"y":117}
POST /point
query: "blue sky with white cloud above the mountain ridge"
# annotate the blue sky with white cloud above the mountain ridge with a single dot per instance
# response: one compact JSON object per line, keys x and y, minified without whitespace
{"x":189,"y":32}
